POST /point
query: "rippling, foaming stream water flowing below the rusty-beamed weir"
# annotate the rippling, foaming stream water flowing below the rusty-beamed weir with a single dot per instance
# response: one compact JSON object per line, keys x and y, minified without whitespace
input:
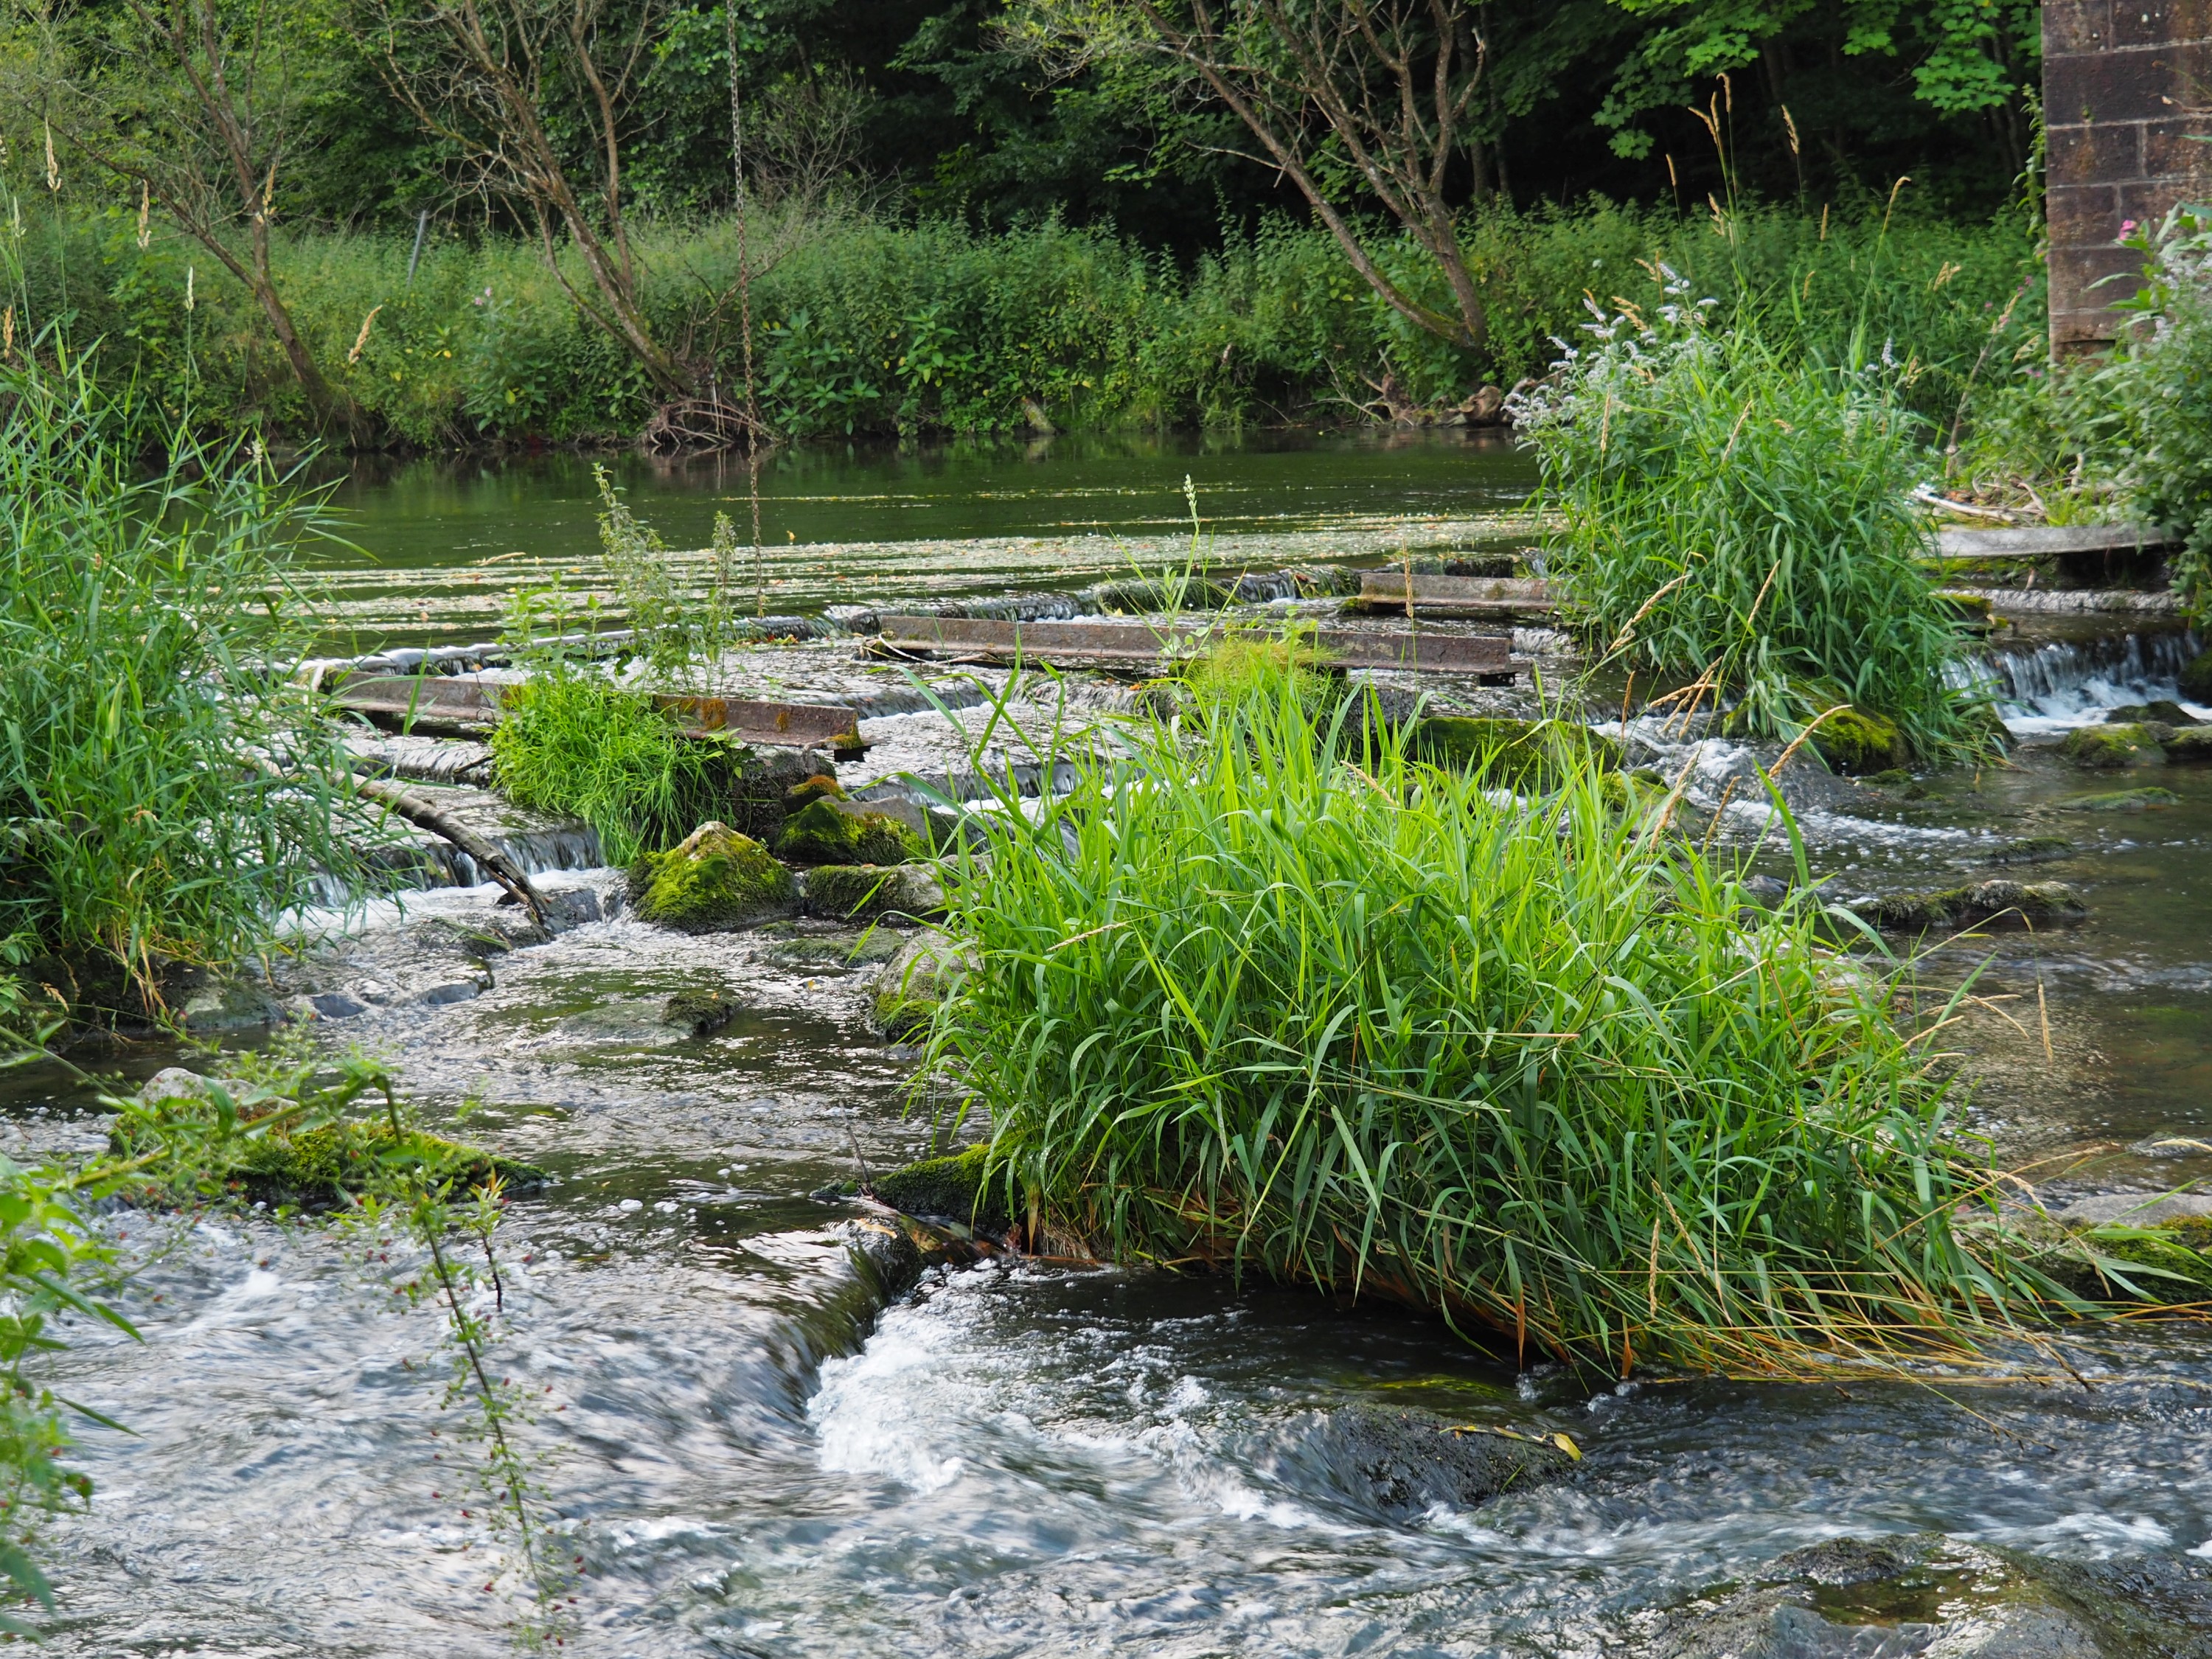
{"x":753,"y":1457}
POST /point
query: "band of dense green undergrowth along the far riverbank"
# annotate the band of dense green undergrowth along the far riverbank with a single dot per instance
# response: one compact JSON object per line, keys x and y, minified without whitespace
{"x":873,"y":326}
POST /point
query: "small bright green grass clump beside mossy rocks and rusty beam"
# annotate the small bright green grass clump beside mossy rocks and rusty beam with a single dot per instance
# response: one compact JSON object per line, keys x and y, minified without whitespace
{"x":576,"y":744}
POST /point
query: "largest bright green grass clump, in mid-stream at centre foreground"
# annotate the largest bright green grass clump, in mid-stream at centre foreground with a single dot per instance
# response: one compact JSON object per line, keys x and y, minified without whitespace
{"x":1269,"y":999}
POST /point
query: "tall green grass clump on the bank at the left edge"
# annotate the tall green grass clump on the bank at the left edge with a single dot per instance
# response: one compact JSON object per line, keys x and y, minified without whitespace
{"x":140,"y":614}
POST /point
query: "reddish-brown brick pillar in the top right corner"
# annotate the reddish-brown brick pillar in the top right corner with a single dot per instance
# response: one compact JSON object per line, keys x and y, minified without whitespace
{"x":2127,"y":94}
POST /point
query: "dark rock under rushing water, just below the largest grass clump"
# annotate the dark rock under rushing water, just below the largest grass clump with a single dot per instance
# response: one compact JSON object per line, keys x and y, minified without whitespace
{"x":1406,"y":1463}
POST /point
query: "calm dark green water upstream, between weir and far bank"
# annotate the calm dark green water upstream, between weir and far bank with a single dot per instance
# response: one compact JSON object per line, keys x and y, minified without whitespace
{"x":444,"y":543}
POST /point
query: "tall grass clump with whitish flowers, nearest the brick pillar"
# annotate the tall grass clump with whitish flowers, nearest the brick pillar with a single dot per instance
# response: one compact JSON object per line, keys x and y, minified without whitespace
{"x":1738,"y":521}
